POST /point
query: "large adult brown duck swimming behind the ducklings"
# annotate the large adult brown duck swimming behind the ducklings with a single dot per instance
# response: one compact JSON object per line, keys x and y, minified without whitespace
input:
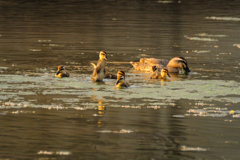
{"x":175,"y":65}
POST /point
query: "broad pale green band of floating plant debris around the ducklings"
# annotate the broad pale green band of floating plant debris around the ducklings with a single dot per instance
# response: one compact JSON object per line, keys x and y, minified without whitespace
{"x":17,"y":87}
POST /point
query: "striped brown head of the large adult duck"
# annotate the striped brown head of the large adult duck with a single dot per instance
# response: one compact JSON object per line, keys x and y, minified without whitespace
{"x":180,"y":62}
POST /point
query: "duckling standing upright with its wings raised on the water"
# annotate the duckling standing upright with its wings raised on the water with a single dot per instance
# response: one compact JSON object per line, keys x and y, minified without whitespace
{"x":99,"y":69}
